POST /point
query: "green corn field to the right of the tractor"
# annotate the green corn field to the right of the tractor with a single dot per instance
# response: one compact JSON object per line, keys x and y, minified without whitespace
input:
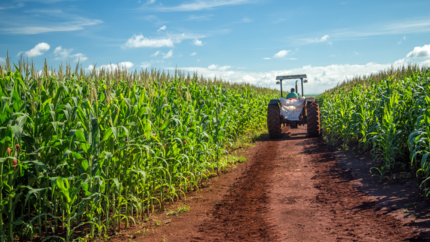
{"x":387,"y":115}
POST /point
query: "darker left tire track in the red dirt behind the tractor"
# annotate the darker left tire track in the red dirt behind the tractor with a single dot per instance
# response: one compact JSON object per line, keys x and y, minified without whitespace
{"x":240,"y":216}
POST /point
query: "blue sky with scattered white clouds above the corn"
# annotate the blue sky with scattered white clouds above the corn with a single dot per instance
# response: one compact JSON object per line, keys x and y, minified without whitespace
{"x":249,"y":41}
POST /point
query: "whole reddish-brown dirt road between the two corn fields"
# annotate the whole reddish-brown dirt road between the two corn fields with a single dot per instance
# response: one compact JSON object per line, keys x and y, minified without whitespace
{"x":291,"y":189}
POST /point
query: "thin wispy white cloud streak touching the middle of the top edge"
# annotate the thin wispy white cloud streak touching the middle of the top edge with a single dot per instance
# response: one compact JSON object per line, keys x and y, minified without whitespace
{"x":197,"y":5}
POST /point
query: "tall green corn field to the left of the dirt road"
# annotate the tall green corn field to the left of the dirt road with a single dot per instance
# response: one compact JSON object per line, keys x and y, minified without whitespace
{"x":84,"y":154}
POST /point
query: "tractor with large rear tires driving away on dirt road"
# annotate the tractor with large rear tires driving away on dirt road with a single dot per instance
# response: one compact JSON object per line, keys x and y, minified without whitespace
{"x":306,"y":111}
